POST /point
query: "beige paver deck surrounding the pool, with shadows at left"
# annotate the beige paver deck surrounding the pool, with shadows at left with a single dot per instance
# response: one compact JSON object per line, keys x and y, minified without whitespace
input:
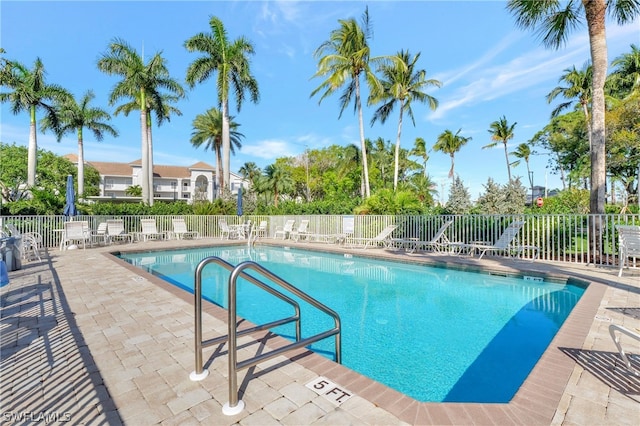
{"x":87,"y":339}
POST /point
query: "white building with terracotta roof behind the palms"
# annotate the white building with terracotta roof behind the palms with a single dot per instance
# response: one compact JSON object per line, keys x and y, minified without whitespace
{"x":195,"y":182}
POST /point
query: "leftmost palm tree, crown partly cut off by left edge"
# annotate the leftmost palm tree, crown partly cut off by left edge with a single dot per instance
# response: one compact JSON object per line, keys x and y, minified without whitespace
{"x":29,"y":93}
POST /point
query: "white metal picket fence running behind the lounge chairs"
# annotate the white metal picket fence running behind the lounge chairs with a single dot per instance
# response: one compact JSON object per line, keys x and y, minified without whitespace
{"x":563,"y":238}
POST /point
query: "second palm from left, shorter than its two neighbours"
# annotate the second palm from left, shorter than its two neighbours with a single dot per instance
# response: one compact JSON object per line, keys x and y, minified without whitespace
{"x":75,"y":117}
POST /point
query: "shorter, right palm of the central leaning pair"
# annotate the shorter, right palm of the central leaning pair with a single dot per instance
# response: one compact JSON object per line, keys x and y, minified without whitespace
{"x":402,"y":83}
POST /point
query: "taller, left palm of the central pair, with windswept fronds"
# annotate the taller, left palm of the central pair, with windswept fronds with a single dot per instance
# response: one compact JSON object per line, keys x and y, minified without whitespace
{"x":342,"y":60}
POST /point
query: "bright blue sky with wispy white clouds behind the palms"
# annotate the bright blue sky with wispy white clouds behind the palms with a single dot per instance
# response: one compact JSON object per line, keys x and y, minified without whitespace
{"x":488,"y":68}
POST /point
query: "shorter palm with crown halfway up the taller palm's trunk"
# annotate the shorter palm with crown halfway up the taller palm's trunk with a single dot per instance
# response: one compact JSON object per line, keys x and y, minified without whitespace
{"x":207,"y":130}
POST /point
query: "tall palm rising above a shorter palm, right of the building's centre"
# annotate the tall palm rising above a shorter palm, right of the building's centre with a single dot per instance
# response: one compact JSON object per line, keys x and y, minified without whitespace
{"x":230,"y":60}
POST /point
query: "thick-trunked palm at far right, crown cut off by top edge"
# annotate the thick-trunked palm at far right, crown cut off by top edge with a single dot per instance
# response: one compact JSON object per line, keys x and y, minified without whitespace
{"x":553,"y":19}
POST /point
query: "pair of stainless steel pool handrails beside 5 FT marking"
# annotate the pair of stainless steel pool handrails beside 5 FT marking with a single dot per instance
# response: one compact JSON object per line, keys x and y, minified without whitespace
{"x":235,"y":406}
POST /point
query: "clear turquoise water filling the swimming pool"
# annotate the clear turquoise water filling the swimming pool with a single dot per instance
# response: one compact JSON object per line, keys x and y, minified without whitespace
{"x":434,"y":334}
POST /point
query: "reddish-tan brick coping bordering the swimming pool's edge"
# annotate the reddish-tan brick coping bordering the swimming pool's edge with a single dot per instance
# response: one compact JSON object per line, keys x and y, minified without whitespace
{"x":535,"y":402}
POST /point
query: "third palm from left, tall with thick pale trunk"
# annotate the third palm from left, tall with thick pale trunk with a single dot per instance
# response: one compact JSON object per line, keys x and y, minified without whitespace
{"x":141,"y":82}
